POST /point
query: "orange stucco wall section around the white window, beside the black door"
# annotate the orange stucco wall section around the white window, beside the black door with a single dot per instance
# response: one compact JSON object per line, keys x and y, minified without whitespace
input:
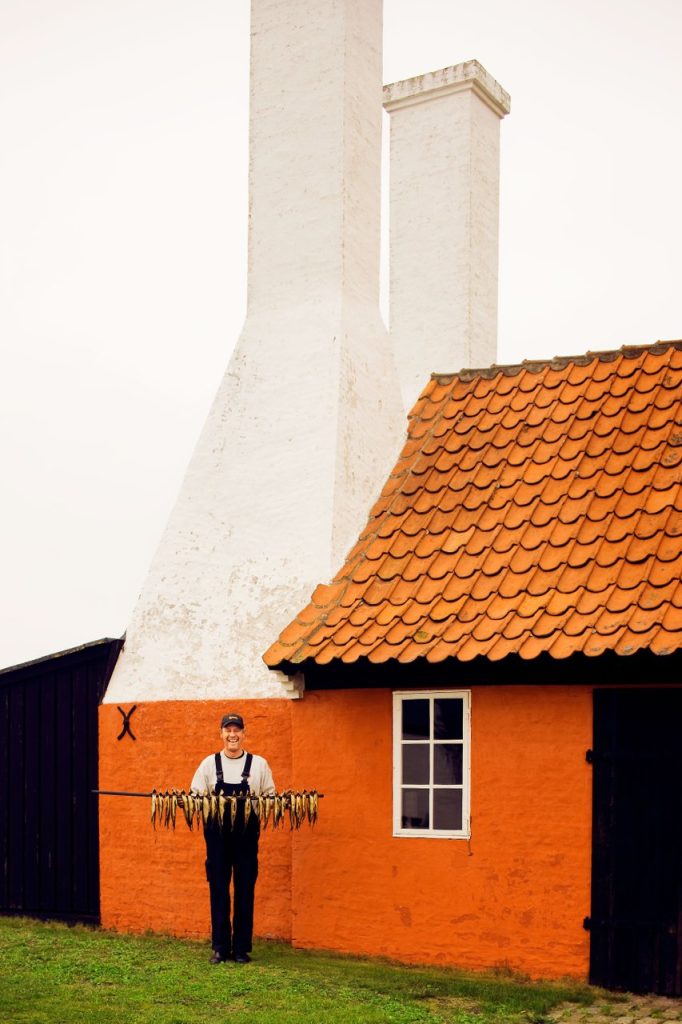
{"x":516,"y":894}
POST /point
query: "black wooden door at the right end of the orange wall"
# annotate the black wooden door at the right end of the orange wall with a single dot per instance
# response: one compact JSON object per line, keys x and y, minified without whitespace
{"x":636,"y":919}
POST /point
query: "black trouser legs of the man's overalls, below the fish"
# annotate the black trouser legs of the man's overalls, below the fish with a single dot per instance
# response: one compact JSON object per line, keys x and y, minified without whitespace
{"x":232,"y":855}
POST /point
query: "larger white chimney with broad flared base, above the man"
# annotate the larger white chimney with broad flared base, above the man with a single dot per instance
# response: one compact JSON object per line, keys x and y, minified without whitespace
{"x":309,"y":417}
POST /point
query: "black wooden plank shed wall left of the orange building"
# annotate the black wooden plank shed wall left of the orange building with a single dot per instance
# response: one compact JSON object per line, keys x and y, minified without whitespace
{"x":50,"y":847}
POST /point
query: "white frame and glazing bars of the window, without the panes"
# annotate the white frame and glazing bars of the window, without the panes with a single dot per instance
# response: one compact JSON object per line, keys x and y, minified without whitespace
{"x":432,"y":696}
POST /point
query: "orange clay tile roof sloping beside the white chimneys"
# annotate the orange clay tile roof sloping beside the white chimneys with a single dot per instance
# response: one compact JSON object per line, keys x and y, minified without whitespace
{"x":535,"y":508}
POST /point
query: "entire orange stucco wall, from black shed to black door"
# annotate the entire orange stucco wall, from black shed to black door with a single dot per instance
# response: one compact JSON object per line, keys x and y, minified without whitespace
{"x":516,"y":894}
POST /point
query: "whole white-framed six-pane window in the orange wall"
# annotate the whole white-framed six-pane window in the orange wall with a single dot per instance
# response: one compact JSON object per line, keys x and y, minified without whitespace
{"x":432,"y":767}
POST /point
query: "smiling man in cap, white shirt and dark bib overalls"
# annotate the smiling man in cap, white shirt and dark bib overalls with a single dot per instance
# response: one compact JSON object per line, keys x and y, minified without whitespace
{"x":232,"y":850}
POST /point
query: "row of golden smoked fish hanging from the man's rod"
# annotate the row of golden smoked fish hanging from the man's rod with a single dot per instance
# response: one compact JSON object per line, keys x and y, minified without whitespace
{"x":219,"y":809}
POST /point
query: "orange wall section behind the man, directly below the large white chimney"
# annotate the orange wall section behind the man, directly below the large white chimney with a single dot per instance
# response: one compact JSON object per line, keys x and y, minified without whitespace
{"x":156,"y":880}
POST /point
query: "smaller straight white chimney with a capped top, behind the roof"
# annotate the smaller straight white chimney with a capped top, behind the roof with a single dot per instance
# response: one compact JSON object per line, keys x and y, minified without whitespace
{"x":445,"y":186}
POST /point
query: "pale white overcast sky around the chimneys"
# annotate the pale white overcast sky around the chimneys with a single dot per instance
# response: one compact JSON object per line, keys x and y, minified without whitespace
{"x":123,"y":200}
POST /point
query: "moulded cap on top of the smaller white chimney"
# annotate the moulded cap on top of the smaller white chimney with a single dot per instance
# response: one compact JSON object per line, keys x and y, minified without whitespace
{"x":468,"y":75}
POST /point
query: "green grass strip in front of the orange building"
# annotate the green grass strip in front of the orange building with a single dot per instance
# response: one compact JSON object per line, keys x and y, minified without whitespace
{"x":59,"y":975}
